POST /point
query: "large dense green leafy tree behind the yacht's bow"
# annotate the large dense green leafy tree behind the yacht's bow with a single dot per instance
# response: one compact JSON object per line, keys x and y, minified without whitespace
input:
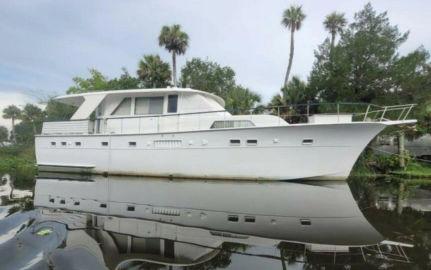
{"x":360,"y":67}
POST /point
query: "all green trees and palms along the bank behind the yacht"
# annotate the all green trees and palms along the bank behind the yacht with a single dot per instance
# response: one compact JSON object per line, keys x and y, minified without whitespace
{"x":358,"y":62}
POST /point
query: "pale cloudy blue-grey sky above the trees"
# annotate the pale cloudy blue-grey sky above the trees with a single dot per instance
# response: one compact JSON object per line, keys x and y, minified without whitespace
{"x":45,"y":43}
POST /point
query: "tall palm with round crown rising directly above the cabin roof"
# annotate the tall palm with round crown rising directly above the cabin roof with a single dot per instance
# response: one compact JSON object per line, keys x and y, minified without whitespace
{"x":176,"y":42}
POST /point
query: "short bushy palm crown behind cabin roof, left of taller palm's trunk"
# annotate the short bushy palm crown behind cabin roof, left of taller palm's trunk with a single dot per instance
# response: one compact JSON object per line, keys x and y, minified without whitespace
{"x":153,"y":72}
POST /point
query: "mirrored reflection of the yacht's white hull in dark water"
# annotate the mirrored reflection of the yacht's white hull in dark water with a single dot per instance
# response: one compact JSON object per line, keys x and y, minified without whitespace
{"x":325,"y":213}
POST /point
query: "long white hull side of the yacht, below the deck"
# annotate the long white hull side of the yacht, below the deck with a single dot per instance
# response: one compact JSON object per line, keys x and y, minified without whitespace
{"x":280,"y":152}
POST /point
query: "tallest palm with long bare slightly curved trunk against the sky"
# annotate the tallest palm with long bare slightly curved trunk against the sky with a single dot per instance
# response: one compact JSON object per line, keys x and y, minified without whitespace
{"x":292,"y":19}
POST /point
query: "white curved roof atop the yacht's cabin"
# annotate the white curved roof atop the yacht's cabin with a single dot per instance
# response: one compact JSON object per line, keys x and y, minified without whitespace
{"x":78,"y":99}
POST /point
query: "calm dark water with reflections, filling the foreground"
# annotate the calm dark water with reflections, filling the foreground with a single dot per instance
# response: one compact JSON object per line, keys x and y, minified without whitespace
{"x":138,"y":223}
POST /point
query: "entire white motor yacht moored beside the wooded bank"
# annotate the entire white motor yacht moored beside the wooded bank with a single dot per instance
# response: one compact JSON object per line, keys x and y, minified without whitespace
{"x":177,"y":132}
